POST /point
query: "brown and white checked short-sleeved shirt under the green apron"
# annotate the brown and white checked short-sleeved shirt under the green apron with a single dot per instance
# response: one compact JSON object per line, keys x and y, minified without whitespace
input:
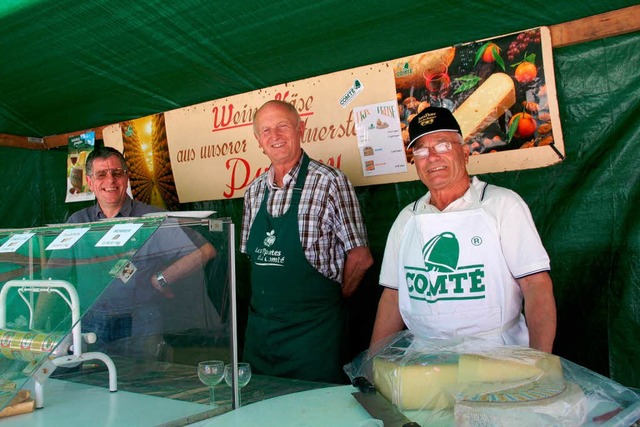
{"x":329,"y":218}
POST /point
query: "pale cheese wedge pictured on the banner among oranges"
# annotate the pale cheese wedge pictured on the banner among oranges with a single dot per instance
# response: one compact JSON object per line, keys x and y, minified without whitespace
{"x":484,"y":106}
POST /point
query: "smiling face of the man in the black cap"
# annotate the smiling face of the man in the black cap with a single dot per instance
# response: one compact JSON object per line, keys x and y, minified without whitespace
{"x":442,"y":171}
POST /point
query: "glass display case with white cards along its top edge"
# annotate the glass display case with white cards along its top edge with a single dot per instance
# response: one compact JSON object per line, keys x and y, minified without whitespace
{"x":130,"y":305}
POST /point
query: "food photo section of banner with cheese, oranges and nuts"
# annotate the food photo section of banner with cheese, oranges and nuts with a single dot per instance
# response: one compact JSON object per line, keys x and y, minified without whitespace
{"x":501,"y":91}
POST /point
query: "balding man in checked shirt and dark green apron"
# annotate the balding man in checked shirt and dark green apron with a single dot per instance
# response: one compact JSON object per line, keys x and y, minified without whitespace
{"x":304,"y":234}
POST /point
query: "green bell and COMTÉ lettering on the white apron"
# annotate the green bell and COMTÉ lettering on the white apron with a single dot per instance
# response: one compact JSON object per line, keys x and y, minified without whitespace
{"x":440,"y":278}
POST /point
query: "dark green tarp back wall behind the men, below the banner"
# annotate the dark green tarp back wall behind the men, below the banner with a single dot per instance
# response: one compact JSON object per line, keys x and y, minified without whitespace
{"x":586,"y":209}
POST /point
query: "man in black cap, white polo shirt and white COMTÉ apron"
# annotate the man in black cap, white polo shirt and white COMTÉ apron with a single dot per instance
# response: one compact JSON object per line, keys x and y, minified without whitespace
{"x":460,"y":260}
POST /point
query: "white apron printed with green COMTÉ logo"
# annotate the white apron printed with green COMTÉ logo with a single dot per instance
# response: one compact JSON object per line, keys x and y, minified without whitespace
{"x":454,"y":280}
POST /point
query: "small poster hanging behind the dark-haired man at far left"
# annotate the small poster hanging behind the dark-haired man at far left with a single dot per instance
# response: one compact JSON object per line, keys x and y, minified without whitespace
{"x":79,"y":147}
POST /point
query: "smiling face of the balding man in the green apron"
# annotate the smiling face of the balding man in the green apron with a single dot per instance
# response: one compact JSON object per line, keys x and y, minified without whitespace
{"x":279,"y":131}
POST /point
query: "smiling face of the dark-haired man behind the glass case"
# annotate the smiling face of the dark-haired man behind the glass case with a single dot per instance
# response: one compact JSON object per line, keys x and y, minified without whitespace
{"x":111,"y":192}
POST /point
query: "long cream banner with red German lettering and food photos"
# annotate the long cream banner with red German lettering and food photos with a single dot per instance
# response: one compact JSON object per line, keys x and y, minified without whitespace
{"x":502,"y":91}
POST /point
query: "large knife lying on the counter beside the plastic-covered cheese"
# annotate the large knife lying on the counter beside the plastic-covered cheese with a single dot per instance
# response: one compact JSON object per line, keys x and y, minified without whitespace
{"x":378,"y":406}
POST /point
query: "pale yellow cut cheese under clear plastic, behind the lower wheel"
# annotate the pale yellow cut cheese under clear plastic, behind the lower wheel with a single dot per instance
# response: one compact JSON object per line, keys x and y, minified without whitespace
{"x":433,"y":381}
